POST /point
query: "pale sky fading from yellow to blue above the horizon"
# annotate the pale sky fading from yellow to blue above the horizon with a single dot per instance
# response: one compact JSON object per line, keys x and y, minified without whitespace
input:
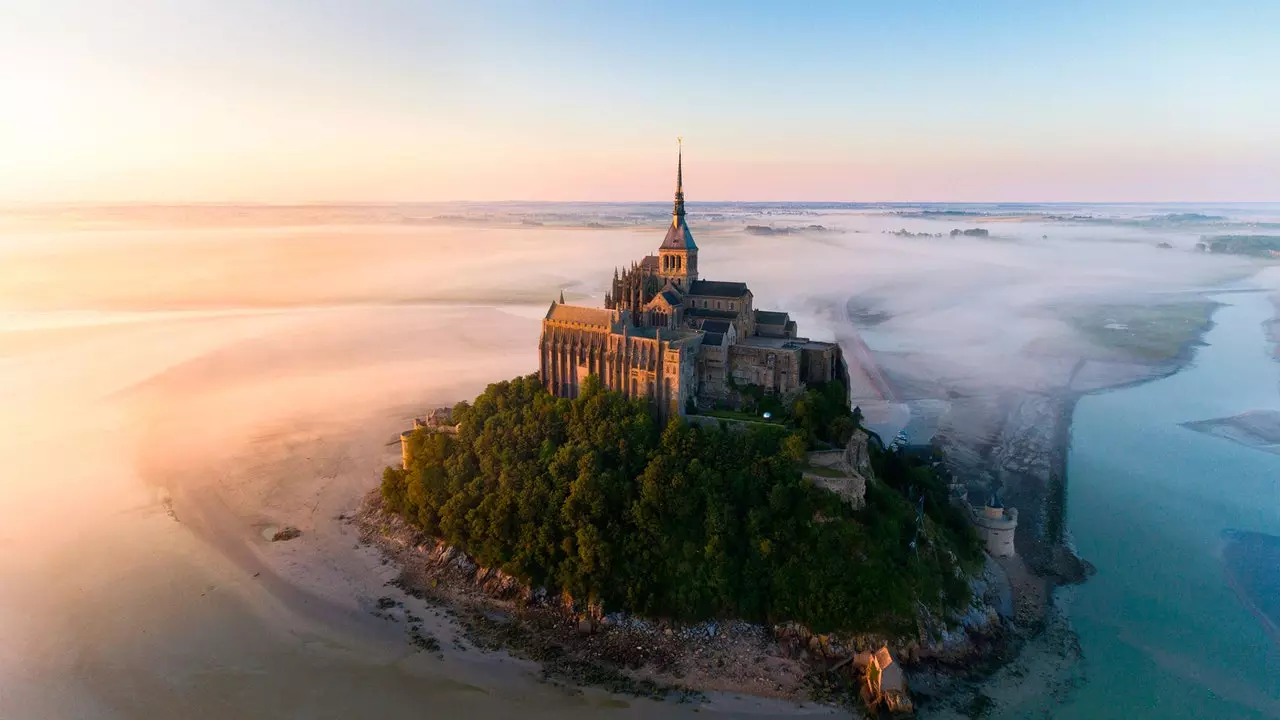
{"x":376,"y":101}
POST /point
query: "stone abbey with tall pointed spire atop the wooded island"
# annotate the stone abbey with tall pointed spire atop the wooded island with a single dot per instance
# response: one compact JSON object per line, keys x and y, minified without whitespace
{"x":680,"y":341}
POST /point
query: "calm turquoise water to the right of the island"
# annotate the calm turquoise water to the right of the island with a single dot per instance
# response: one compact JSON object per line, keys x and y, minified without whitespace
{"x":1163,"y":634}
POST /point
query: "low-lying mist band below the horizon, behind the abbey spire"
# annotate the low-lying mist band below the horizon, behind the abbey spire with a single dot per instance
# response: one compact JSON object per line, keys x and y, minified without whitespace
{"x":977,"y":303}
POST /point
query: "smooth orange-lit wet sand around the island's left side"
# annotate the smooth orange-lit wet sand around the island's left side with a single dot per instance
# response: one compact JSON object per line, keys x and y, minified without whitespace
{"x":144,"y":587}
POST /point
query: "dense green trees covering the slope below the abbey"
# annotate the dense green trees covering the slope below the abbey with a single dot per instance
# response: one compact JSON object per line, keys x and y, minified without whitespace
{"x":593,"y":498}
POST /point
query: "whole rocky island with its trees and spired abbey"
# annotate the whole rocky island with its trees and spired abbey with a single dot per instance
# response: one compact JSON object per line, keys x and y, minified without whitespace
{"x":684,"y":500}
